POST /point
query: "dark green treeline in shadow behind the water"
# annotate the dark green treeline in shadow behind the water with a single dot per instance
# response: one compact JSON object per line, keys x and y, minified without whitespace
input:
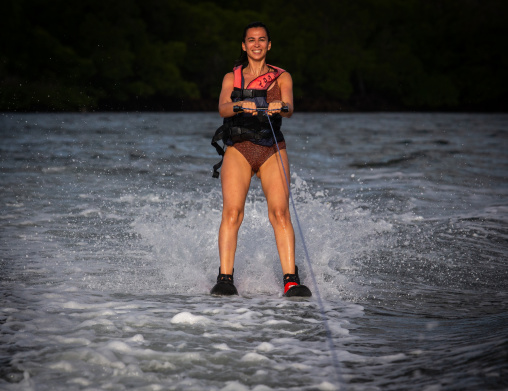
{"x":172,"y":54}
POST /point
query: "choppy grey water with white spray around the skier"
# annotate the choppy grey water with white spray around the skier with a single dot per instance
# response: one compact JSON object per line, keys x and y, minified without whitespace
{"x":108,"y":251}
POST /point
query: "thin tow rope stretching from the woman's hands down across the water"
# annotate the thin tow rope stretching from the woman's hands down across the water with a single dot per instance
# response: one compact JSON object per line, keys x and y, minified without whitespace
{"x":335,"y":360}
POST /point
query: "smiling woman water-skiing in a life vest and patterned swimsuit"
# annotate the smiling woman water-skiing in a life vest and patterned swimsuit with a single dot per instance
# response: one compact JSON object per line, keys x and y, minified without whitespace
{"x":251,"y":149}
